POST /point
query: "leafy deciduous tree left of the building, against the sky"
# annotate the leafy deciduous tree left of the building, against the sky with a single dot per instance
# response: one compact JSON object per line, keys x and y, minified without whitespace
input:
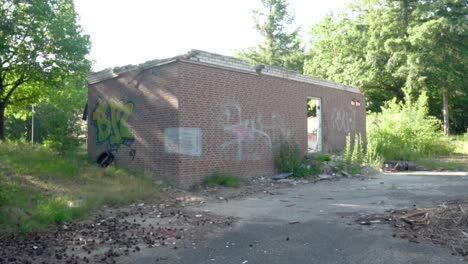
{"x":41,"y":45}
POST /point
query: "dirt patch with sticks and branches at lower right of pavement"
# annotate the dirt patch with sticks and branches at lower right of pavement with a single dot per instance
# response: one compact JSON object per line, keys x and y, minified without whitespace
{"x":446,"y":225}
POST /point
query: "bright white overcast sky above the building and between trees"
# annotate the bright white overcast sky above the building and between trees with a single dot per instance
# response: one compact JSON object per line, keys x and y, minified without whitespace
{"x":131,"y":32}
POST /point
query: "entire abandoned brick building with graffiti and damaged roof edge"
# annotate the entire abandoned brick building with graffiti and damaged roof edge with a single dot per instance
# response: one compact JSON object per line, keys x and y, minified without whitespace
{"x":185,"y":117}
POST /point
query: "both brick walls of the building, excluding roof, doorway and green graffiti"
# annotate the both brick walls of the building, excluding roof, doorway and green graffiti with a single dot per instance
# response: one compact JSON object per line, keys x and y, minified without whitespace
{"x":238,"y":117}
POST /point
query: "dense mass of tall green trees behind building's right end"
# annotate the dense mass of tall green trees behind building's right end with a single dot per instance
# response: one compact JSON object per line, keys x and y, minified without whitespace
{"x":386,"y":47}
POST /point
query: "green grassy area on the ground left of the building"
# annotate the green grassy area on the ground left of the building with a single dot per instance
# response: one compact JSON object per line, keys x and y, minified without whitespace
{"x":39,"y":187}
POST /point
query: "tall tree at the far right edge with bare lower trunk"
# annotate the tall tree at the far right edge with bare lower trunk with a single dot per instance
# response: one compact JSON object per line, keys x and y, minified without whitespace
{"x":438,"y":61}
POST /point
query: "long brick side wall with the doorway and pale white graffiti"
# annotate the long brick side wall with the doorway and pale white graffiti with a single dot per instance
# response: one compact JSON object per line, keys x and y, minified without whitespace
{"x":244,"y":116}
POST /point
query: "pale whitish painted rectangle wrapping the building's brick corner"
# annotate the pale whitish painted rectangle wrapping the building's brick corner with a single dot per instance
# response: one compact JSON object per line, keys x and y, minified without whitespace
{"x":183,"y":140}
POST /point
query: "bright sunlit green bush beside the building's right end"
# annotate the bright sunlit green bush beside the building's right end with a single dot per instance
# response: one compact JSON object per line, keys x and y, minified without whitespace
{"x":405,"y":131}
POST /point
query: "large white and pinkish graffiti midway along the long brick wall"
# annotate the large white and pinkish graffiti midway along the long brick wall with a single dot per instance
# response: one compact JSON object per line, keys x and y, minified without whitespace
{"x":251,"y":137}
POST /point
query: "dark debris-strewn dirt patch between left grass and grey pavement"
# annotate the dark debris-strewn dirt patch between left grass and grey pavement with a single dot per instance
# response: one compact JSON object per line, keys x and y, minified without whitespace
{"x":114,"y":235}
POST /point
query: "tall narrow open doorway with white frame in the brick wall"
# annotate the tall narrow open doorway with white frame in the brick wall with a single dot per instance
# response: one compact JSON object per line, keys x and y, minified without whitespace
{"x":314,"y":125}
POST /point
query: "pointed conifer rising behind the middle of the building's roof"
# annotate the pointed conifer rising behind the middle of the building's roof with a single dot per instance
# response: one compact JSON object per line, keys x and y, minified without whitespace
{"x":279,"y":48}
